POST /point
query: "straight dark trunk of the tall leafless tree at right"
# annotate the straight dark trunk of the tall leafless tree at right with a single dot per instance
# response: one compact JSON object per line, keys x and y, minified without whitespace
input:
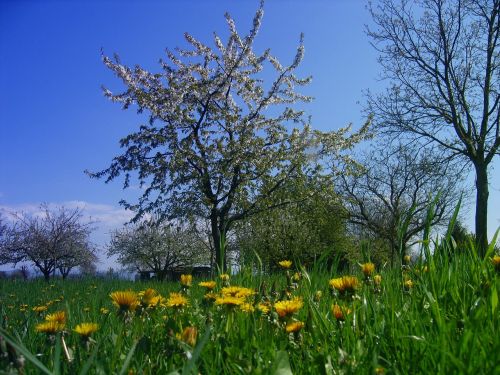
{"x":482,"y":194}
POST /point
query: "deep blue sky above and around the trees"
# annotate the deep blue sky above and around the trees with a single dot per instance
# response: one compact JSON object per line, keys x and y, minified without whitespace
{"x":55,"y":122}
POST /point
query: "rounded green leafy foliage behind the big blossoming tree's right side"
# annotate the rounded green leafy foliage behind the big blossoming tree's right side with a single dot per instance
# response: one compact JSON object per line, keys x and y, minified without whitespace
{"x":313,"y":227}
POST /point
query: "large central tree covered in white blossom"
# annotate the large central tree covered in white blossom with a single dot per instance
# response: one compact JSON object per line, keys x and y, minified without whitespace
{"x":219,"y":142}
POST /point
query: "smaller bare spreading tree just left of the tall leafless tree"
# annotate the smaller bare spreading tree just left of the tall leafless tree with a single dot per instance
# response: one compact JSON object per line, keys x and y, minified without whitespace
{"x":397,"y":185}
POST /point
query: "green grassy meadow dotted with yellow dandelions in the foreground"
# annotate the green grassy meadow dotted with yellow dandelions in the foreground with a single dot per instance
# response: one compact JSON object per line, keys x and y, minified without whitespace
{"x":437,"y":316}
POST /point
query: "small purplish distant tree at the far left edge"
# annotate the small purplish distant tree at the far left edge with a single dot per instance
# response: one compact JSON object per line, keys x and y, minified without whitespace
{"x":50,"y":240}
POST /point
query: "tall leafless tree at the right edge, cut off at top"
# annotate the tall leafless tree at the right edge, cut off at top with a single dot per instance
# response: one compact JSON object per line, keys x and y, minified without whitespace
{"x":442,"y":59}
